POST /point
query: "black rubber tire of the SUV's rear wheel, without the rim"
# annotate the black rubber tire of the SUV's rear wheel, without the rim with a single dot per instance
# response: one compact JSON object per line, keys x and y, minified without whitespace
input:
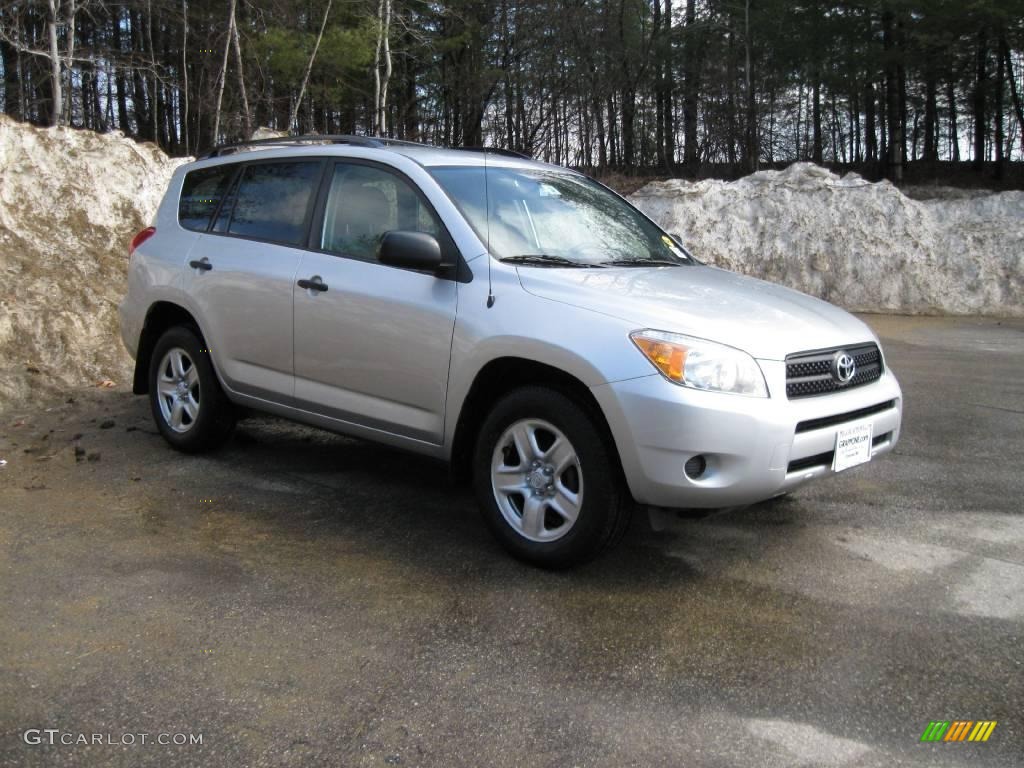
{"x":216,"y":418}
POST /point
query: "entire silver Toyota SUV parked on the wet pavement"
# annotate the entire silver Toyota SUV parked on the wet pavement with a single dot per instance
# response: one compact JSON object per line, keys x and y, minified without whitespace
{"x":515,"y":319}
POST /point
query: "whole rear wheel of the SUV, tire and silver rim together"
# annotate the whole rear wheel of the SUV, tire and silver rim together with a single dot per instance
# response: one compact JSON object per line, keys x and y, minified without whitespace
{"x":190,"y":408}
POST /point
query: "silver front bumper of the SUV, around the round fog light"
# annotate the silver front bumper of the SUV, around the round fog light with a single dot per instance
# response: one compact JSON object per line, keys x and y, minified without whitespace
{"x":752,"y":446}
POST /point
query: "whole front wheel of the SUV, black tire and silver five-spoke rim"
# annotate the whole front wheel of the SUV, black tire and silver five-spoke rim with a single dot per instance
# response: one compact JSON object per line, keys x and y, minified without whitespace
{"x":547,"y":481}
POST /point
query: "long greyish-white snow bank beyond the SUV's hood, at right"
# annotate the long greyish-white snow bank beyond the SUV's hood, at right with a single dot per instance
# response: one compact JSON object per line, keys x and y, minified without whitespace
{"x":864,"y":246}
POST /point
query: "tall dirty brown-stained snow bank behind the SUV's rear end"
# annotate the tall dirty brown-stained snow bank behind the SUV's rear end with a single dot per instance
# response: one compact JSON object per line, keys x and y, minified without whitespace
{"x":70,"y":202}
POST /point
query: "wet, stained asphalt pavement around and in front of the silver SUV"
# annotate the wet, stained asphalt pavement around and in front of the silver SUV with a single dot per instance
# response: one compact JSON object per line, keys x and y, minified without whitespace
{"x":303,"y":600}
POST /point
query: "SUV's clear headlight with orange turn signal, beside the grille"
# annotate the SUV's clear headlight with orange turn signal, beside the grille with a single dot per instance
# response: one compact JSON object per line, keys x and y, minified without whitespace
{"x":702,"y":365}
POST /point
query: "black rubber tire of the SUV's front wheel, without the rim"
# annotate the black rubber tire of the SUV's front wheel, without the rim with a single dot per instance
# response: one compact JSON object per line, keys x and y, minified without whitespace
{"x":606,"y":507}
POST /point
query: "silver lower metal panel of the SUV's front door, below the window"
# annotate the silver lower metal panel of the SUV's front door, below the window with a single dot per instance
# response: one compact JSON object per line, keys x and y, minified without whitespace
{"x":374,"y":349}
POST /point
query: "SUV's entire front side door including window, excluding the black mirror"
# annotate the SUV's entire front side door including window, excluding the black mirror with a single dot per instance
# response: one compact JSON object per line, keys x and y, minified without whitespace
{"x":374,"y":349}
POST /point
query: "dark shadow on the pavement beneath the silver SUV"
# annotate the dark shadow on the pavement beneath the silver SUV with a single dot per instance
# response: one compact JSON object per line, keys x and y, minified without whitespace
{"x":405,"y":505}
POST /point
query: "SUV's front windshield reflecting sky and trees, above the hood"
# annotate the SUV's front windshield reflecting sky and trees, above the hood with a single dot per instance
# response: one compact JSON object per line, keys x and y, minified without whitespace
{"x":551,"y":219}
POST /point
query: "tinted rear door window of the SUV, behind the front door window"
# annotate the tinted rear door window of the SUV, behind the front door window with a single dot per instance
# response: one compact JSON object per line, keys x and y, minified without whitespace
{"x":273,"y":201}
